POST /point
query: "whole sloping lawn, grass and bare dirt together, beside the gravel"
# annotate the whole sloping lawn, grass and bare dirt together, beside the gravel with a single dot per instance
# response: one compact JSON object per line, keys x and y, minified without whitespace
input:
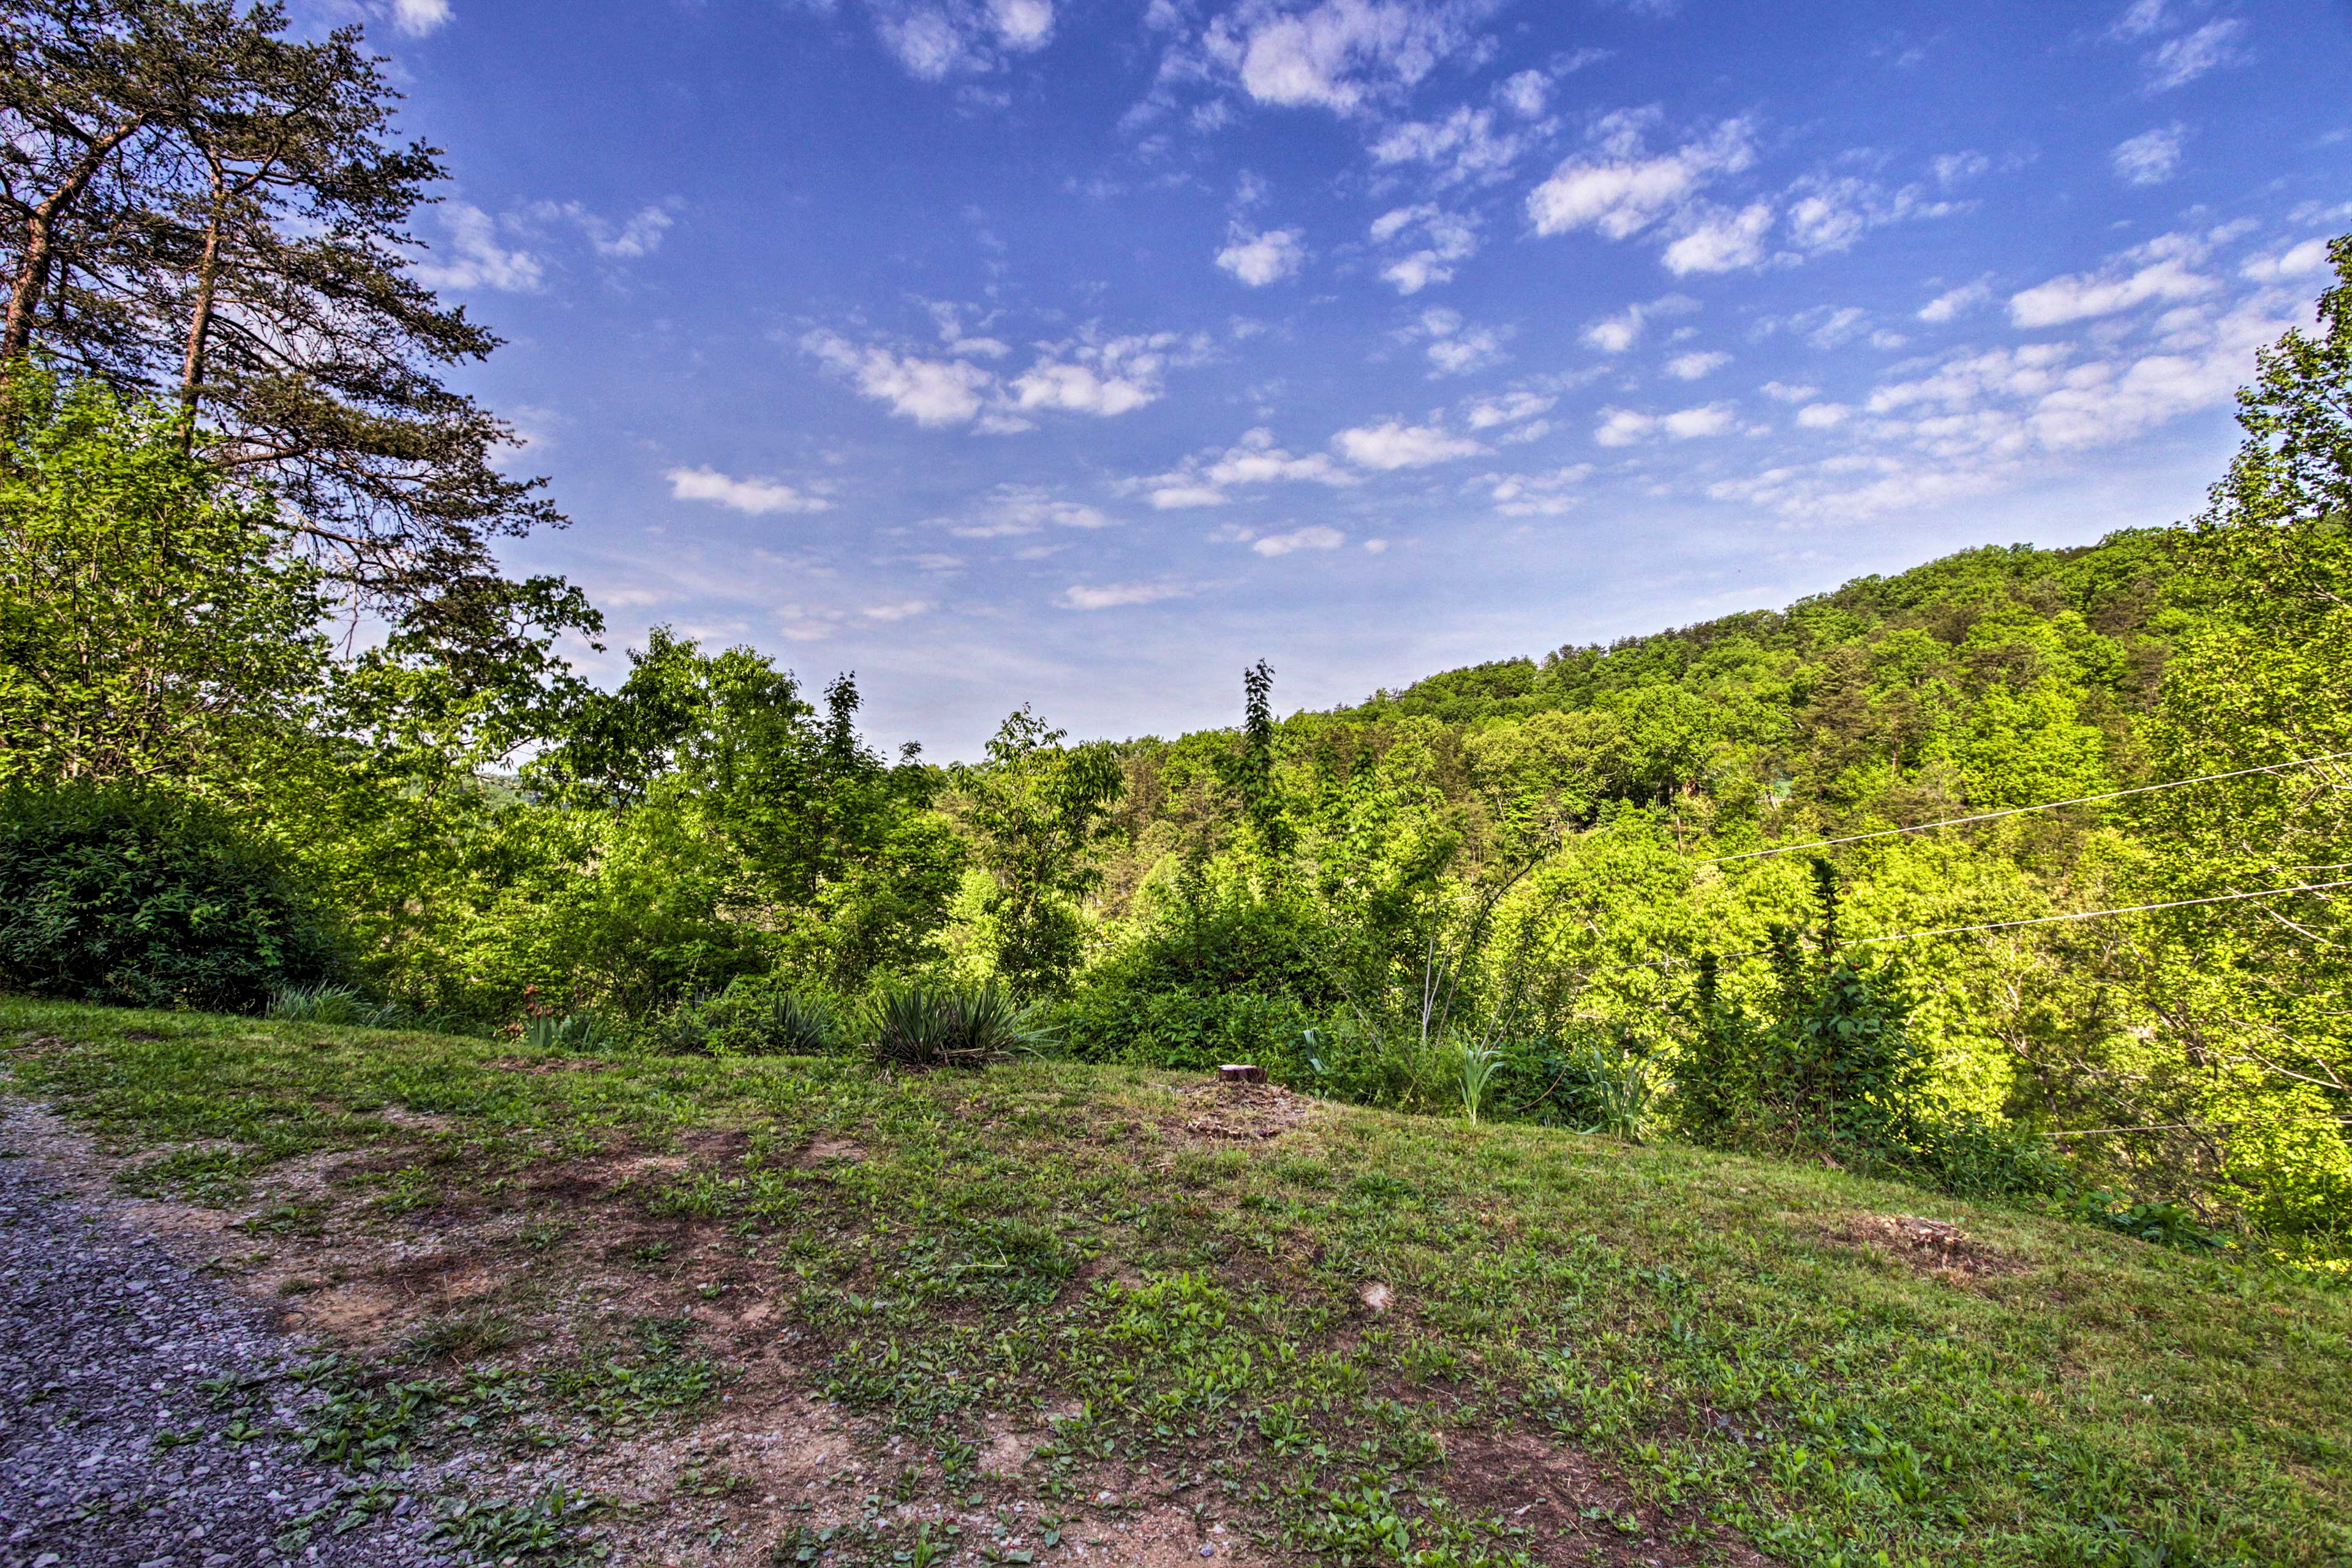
{"x":761,"y":1311}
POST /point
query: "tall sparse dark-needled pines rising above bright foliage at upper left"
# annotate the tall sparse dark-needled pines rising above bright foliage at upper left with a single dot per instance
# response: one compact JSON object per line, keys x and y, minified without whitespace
{"x":203,"y":210}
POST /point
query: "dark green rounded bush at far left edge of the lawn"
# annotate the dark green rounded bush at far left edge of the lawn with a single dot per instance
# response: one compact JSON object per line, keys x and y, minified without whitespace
{"x":142,"y":899}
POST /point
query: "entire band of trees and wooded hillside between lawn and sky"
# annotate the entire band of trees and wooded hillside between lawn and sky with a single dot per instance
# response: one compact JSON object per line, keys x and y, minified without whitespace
{"x":279,"y":735}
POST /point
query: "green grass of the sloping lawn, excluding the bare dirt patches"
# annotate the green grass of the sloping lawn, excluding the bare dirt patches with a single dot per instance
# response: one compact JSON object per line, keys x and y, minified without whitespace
{"x":1706,"y":1346}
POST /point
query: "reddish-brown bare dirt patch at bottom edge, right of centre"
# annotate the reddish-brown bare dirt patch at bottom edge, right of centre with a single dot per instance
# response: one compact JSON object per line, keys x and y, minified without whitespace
{"x":1572,"y":1508}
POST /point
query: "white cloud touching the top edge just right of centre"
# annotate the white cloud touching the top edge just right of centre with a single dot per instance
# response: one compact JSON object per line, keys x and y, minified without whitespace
{"x":1339,"y":55}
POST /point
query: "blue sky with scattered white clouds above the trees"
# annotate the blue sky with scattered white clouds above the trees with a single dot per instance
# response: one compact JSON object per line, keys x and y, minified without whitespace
{"x":1081,"y":351}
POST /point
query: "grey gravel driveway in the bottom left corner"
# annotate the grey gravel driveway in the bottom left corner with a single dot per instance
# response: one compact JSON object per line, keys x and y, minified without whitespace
{"x":123,"y":1374}
